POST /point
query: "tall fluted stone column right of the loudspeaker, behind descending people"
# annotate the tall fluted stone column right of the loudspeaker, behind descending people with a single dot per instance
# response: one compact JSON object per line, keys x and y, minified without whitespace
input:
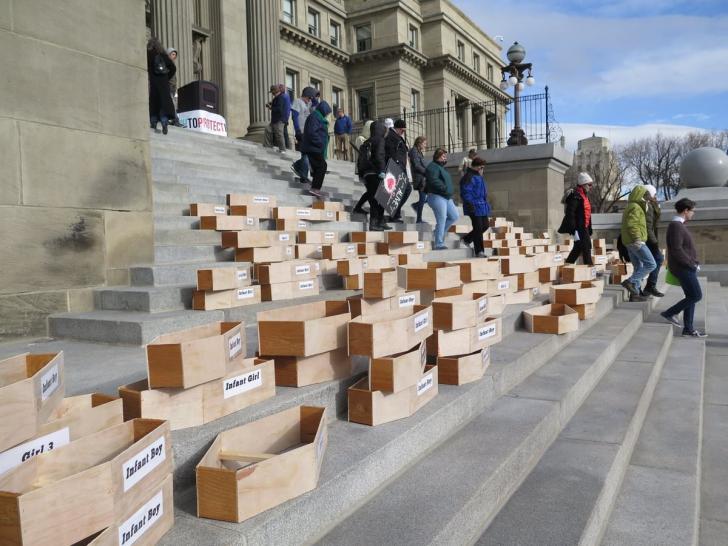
{"x":263,"y":62}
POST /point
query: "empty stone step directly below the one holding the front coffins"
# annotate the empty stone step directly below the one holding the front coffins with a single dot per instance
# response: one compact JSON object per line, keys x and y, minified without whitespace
{"x":494,"y":452}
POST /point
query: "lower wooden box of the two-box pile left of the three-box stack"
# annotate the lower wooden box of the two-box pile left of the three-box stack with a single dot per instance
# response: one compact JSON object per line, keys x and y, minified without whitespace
{"x":301,"y":371}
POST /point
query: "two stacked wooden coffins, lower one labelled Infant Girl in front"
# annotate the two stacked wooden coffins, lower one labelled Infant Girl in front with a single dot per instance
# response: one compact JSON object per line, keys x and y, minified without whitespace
{"x":198,"y":375}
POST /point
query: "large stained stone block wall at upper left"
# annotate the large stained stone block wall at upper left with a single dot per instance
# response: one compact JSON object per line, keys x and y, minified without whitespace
{"x":75,"y":155}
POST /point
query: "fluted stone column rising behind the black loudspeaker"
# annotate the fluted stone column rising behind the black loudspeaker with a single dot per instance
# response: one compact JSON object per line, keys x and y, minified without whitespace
{"x":172,"y":24}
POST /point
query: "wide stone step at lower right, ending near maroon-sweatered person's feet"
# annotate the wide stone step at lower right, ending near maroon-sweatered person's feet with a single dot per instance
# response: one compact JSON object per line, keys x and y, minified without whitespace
{"x":658,"y":500}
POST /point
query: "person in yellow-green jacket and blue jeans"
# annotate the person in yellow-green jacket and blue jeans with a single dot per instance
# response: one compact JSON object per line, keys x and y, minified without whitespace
{"x":634,"y":237}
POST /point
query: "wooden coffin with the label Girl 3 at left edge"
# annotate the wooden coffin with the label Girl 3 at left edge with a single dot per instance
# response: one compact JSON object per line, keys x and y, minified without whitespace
{"x":74,"y":418}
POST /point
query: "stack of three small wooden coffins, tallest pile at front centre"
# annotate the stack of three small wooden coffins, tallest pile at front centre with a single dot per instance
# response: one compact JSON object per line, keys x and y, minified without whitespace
{"x":399,"y":381}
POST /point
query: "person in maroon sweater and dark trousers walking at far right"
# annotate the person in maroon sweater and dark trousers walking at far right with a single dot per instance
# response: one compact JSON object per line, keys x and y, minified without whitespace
{"x":683,"y":263}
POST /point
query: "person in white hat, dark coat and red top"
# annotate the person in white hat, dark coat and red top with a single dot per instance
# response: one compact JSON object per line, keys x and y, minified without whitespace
{"x":577,"y":219}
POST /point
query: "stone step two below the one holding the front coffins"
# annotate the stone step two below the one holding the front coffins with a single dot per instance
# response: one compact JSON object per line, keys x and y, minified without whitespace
{"x":567,"y":497}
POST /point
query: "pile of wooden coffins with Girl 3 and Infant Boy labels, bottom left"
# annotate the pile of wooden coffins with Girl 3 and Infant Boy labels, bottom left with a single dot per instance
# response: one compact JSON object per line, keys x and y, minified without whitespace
{"x":80,"y":473}
